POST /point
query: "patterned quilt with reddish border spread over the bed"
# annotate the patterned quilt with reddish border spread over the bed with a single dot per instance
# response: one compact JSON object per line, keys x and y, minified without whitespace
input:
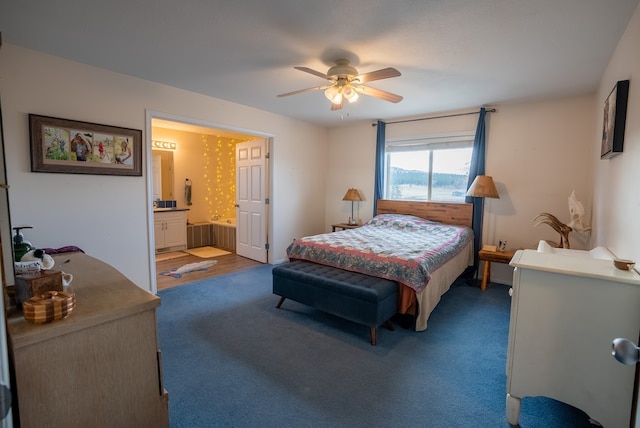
{"x":402,"y":248}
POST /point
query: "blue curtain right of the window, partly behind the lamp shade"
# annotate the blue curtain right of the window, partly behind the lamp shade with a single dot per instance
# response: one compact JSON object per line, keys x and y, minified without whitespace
{"x":477,"y":168}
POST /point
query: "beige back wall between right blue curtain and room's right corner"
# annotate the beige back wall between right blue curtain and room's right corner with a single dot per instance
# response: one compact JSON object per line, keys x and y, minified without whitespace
{"x":538,"y":153}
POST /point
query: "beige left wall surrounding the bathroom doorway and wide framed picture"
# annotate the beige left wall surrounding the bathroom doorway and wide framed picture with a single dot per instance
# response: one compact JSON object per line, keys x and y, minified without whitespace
{"x":108,"y":216}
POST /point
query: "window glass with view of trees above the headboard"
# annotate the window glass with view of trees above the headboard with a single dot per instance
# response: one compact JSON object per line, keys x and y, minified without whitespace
{"x":428,"y":175}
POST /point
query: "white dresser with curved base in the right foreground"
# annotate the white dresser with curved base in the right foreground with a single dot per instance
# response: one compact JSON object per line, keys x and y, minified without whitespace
{"x":567,"y":307}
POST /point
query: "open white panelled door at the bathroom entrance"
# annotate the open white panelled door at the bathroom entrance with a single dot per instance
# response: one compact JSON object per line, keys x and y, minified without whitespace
{"x":251,"y":218}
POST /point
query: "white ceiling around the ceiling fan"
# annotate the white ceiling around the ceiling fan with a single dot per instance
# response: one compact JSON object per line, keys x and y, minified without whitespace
{"x":452,"y":54}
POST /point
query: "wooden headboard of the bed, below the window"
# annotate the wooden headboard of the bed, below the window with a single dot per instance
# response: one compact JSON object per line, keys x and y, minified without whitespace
{"x":455,"y":213}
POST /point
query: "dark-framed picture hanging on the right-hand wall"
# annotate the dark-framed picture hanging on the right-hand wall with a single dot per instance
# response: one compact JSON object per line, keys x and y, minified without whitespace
{"x":615,"y":117}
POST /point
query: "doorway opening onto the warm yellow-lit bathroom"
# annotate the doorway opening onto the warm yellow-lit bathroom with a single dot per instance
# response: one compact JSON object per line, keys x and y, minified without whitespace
{"x":205,"y":177}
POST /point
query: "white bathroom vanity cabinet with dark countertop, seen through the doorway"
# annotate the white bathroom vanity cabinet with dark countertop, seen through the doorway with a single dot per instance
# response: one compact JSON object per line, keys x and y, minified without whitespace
{"x":170,"y":229}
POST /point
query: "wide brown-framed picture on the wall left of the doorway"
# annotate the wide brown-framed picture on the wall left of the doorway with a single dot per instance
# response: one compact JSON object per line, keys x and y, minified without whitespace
{"x":72,"y":147}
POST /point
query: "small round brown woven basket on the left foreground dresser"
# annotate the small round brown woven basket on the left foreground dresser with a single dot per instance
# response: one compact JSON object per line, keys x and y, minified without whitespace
{"x":49,"y":306}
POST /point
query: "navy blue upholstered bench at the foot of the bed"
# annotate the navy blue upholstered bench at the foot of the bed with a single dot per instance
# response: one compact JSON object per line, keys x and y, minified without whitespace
{"x":353,"y":296}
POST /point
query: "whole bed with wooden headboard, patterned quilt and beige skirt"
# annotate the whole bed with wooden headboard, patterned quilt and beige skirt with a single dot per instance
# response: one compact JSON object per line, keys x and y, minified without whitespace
{"x":423,"y":246}
